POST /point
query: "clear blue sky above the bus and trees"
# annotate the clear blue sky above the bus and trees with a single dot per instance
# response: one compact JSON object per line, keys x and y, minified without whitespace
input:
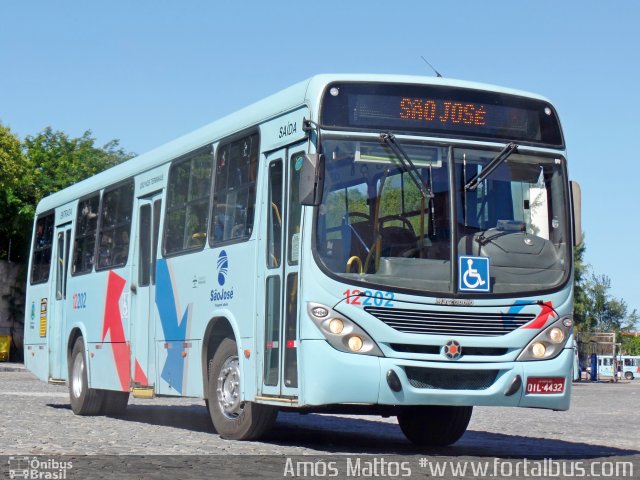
{"x":146,"y":72}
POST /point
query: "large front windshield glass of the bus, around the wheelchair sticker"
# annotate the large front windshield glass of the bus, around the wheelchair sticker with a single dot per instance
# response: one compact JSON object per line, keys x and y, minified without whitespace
{"x":378,"y":225}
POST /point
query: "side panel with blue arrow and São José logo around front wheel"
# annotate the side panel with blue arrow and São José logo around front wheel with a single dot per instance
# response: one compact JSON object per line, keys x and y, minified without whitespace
{"x":191,"y":290}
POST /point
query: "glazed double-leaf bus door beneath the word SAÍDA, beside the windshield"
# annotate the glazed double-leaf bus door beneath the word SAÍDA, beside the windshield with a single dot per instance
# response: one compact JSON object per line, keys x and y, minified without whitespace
{"x":278,"y":330}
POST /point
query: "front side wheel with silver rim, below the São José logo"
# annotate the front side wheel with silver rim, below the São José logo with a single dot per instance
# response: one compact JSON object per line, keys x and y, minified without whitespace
{"x":231,"y":418}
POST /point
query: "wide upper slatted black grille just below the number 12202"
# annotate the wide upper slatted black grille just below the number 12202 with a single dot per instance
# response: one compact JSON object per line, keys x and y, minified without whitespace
{"x":450,"y":323}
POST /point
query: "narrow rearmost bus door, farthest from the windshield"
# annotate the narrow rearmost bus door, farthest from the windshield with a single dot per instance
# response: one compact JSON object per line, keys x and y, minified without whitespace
{"x":56,"y":322}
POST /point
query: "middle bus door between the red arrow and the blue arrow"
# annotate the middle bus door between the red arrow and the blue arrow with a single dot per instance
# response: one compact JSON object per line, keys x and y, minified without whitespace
{"x":143,"y":290}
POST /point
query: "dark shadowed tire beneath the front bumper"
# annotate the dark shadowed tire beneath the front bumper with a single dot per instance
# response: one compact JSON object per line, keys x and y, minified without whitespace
{"x":434,"y":425}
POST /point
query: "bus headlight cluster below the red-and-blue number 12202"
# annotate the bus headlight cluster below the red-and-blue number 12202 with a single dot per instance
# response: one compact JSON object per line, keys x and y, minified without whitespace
{"x":342,"y":333}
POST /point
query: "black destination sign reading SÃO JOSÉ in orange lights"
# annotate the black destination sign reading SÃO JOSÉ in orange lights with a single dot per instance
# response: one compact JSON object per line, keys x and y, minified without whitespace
{"x":440,"y":111}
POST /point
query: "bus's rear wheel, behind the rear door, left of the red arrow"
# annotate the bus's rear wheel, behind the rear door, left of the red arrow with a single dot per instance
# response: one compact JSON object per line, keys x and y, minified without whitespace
{"x":84,"y":400}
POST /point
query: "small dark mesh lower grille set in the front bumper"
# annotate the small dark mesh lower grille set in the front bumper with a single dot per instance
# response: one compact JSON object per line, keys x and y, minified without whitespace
{"x":441,"y":379}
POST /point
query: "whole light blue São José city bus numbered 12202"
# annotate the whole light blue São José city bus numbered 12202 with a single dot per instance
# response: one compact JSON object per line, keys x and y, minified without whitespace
{"x":378,"y":244}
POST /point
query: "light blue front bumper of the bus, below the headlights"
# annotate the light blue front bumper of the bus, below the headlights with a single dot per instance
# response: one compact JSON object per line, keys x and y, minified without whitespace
{"x":332,"y":377}
